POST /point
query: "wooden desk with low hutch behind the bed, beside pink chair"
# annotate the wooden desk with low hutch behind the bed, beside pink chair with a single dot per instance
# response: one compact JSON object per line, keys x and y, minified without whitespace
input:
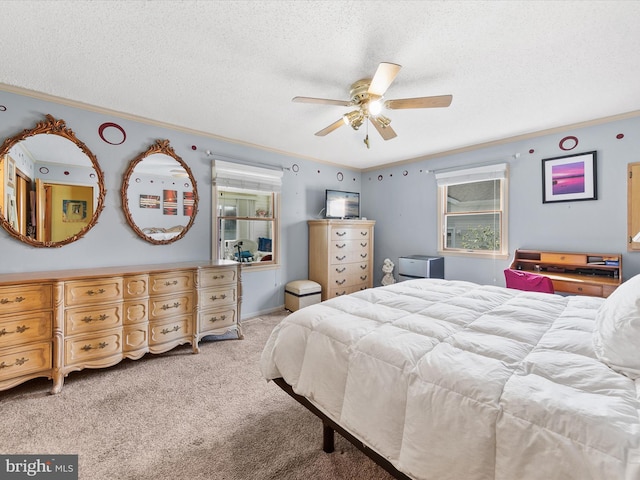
{"x":578,"y":273}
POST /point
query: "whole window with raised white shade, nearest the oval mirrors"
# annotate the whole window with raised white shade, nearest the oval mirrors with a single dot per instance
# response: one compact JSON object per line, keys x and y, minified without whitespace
{"x":246,"y":206}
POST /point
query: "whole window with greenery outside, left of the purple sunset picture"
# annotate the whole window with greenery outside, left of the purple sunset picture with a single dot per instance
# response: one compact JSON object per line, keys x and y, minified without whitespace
{"x":472,"y":210}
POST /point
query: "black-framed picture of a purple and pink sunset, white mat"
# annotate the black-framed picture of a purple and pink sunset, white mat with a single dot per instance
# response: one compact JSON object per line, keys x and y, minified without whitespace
{"x":569,"y":178}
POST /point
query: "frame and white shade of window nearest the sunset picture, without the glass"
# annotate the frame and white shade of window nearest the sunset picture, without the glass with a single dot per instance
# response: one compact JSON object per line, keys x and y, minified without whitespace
{"x":474,"y":175}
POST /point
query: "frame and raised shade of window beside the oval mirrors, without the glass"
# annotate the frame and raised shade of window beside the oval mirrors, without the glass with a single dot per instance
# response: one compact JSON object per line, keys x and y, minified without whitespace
{"x":232,"y":176}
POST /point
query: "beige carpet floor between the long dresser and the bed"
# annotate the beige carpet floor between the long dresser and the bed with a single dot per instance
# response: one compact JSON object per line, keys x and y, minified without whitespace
{"x":179,"y":416}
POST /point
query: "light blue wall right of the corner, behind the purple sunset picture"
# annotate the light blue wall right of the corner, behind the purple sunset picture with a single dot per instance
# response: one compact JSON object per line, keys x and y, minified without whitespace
{"x":405,"y":206}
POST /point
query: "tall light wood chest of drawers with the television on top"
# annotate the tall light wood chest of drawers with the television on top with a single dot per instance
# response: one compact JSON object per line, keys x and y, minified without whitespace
{"x":341,"y":255}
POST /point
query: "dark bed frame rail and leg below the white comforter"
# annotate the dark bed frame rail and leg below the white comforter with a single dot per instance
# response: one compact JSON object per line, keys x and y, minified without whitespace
{"x":329,"y":427}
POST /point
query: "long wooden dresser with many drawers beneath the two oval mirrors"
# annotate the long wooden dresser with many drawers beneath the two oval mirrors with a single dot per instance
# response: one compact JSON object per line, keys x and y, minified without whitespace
{"x":54,"y":323}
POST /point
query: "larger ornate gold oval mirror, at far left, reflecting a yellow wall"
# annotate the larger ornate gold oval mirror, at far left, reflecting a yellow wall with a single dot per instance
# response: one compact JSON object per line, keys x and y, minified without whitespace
{"x":51,"y":186}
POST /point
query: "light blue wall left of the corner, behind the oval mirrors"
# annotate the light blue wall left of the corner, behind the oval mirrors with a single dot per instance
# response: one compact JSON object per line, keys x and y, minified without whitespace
{"x":112,"y":242}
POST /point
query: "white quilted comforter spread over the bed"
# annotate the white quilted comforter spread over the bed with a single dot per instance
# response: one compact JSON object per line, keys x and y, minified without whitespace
{"x":453,"y":380}
